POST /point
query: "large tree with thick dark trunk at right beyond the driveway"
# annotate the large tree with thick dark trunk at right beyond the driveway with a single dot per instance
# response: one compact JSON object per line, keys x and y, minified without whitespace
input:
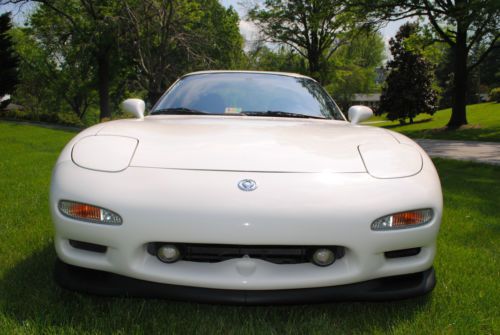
{"x":462,"y":24}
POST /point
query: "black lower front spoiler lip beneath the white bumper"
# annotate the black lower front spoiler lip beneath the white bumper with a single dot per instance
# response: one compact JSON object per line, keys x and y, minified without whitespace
{"x":109,"y":284}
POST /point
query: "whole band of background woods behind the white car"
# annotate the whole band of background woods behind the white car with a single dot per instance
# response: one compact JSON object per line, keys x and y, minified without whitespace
{"x":91,"y":54}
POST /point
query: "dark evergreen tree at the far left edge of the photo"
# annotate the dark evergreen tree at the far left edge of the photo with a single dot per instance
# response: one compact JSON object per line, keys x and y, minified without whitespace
{"x":8,"y":58}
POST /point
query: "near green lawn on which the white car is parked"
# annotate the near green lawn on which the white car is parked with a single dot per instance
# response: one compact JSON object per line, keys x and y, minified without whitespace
{"x":465,"y":300}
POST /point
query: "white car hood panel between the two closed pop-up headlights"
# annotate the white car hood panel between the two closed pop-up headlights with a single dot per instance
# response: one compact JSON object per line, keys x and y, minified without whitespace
{"x":239,"y":143}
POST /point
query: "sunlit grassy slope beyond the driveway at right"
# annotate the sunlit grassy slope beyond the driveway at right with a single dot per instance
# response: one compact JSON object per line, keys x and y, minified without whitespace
{"x":484,"y":124}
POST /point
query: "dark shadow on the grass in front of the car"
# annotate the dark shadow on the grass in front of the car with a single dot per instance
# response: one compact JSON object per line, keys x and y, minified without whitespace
{"x":33,"y":297}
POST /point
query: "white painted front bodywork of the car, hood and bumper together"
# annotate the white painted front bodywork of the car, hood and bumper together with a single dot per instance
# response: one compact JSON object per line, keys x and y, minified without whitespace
{"x":174,"y":179}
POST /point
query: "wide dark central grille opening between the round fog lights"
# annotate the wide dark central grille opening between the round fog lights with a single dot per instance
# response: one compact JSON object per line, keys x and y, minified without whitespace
{"x":213,"y":253}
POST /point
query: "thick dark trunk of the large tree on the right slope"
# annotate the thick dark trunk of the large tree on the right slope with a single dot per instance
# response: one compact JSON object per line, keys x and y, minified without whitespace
{"x":458,"y":115}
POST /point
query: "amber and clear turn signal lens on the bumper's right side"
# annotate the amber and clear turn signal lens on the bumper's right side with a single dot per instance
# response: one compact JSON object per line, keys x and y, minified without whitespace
{"x":403,"y":220}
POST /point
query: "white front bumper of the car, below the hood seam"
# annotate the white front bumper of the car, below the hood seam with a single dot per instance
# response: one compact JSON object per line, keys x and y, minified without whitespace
{"x":182,"y":206}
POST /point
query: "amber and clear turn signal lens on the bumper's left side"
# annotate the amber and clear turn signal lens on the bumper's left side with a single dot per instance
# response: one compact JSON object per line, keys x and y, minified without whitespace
{"x":89,"y":213}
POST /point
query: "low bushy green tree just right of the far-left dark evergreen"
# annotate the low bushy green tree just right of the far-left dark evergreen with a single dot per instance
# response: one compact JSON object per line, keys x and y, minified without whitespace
{"x":65,"y":73}
